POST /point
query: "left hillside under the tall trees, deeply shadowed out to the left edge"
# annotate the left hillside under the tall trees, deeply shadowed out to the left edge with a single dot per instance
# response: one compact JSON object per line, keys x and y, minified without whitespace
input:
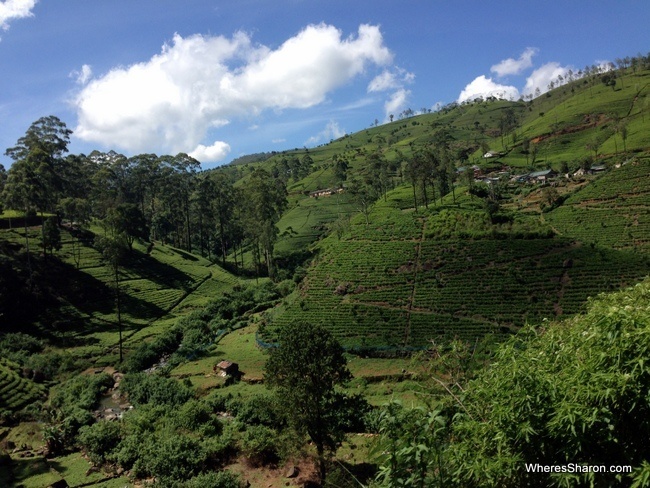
{"x":72,"y":304}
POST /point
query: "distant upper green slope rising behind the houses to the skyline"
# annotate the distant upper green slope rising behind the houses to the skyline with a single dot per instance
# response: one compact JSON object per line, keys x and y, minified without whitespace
{"x":582,"y":119}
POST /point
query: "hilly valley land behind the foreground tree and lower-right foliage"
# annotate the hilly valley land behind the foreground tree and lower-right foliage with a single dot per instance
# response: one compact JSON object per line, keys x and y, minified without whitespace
{"x":414,"y":239}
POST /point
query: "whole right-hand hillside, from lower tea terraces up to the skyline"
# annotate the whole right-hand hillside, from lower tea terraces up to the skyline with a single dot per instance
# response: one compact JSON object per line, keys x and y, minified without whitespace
{"x":407,"y":277}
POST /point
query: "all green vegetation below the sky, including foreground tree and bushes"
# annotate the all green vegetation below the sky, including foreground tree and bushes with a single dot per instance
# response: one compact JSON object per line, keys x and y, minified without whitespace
{"x":455,"y":283}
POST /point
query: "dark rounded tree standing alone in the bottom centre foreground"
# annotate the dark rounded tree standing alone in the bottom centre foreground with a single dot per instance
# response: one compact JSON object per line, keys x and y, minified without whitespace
{"x":305,"y":370}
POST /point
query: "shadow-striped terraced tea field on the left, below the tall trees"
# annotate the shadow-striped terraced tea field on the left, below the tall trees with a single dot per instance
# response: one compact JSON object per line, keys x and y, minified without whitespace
{"x":161,"y":284}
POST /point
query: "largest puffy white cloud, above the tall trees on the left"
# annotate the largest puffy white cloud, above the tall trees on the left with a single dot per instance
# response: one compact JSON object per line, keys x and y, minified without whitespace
{"x":198,"y":82}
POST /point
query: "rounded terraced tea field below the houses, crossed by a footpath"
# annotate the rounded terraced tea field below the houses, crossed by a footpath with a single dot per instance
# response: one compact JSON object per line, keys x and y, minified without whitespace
{"x":394,"y":284}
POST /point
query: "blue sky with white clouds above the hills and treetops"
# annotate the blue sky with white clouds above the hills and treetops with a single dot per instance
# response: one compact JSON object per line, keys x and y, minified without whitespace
{"x":221,"y":79}
